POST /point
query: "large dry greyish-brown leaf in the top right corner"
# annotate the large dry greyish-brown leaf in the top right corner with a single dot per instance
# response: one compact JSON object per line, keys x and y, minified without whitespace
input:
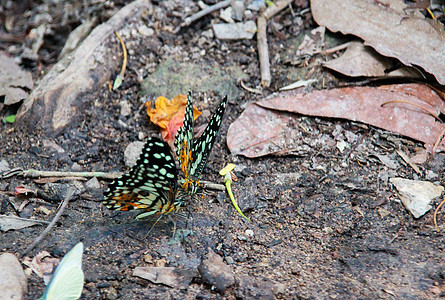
{"x":387,"y":29}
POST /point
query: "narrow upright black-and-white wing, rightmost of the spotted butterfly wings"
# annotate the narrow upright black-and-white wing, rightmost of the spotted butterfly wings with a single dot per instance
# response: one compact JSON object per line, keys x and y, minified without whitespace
{"x":203,"y":145}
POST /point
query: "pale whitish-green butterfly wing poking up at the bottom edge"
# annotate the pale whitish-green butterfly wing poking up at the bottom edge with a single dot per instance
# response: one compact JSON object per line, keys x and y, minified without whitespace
{"x":67,"y":281}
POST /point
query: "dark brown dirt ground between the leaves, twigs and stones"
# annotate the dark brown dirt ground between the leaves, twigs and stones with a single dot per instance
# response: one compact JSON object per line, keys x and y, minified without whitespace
{"x":324,"y":224}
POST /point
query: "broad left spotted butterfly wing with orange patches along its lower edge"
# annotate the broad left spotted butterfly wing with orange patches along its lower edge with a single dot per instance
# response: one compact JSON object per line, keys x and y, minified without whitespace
{"x":151,"y":184}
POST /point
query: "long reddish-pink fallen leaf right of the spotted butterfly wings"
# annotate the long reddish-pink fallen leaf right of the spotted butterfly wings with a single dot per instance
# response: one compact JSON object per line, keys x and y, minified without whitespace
{"x":261,"y":130}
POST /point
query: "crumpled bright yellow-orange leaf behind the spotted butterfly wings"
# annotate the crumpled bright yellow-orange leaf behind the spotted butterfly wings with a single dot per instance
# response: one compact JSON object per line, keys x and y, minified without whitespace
{"x":169,"y":115}
